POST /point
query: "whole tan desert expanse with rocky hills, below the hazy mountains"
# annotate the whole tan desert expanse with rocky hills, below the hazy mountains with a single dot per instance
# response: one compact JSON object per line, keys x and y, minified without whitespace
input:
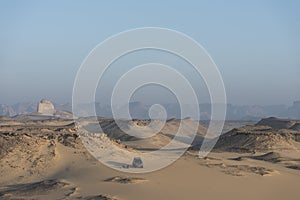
{"x":45,"y":159}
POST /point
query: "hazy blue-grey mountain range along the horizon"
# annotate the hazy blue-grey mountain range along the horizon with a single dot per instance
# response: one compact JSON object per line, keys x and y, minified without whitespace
{"x":139,"y":110}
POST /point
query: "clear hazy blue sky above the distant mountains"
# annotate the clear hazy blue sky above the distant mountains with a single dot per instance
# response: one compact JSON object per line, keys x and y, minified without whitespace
{"x":255,"y":44}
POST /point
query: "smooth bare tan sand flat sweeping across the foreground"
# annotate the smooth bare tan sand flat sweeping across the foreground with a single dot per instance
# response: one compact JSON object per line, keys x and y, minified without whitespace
{"x":188,"y":178}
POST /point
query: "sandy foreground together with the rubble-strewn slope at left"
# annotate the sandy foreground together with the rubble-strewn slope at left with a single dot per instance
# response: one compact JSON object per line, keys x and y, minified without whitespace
{"x":63,"y":171}
